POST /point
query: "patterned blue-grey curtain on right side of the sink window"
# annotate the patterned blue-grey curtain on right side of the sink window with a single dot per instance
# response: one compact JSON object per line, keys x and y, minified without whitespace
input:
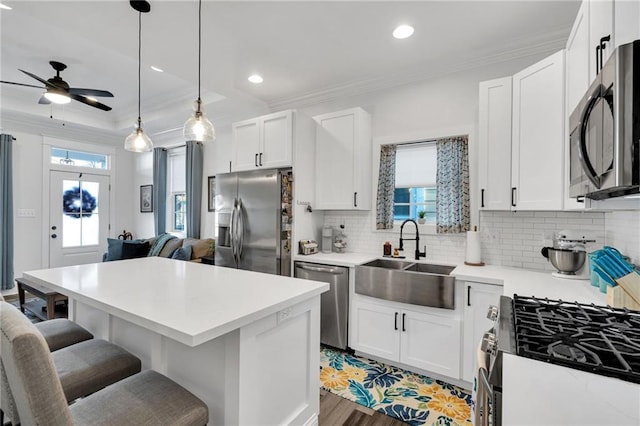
{"x":452,"y":180}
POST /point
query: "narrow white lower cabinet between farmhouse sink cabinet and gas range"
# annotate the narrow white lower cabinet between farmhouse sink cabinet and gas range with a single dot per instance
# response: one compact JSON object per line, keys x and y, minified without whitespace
{"x":479,"y":297}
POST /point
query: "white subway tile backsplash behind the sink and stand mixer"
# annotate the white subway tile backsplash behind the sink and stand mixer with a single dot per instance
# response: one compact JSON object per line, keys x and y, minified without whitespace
{"x":507,"y":238}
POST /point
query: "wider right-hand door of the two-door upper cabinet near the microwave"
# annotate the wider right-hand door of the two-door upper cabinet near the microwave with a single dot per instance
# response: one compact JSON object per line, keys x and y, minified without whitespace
{"x":537,"y":156}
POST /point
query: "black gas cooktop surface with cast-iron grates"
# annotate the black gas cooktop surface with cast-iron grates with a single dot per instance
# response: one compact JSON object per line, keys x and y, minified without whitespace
{"x":597,"y":339}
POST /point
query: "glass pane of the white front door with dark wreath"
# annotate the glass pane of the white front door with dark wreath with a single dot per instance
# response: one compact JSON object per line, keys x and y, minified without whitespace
{"x":80,"y":213}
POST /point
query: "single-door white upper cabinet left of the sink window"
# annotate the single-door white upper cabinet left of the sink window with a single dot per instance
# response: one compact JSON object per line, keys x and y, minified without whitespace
{"x":343,"y":160}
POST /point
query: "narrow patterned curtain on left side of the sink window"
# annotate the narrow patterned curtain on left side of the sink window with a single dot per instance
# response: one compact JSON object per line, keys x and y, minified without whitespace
{"x":386,"y":187}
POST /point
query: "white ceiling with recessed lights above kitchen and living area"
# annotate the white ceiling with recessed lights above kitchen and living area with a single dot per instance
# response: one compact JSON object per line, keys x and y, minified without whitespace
{"x":306,"y":51}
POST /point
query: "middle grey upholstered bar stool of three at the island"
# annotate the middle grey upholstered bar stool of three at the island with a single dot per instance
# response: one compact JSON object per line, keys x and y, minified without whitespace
{"x":82,"y":368}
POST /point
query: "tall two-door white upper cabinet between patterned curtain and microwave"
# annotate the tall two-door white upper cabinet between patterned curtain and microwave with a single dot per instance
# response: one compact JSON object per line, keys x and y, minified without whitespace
{"x":521,"y":140}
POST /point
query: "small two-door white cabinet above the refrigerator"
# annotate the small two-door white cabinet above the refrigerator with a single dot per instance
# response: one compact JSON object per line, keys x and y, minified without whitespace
{"x":263,"y":142}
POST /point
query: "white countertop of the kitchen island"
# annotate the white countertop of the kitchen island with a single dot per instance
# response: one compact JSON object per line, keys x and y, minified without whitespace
{"x":189,"y":302}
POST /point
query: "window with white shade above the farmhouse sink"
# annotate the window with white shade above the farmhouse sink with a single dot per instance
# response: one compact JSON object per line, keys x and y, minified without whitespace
{"x":415,"y":182}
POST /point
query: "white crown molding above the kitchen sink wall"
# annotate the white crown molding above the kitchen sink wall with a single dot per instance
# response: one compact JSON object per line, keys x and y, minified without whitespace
{"x":519,"y":48}
